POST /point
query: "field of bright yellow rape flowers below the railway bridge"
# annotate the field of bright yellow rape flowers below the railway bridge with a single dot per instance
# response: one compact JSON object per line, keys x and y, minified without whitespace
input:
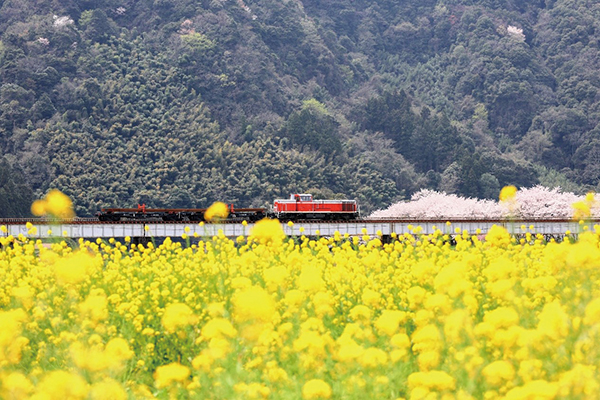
{"x":267,"y":317}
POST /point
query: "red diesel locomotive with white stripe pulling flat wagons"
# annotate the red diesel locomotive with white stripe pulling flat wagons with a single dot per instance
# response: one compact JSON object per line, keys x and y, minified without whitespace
{"x":304,"y":207}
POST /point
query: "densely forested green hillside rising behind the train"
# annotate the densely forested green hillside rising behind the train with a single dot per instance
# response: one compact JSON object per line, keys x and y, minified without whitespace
{"x":181,"y":102}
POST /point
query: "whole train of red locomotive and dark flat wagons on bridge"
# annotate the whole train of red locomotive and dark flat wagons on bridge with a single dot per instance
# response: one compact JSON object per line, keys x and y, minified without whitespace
{"x":297,"y":207}
